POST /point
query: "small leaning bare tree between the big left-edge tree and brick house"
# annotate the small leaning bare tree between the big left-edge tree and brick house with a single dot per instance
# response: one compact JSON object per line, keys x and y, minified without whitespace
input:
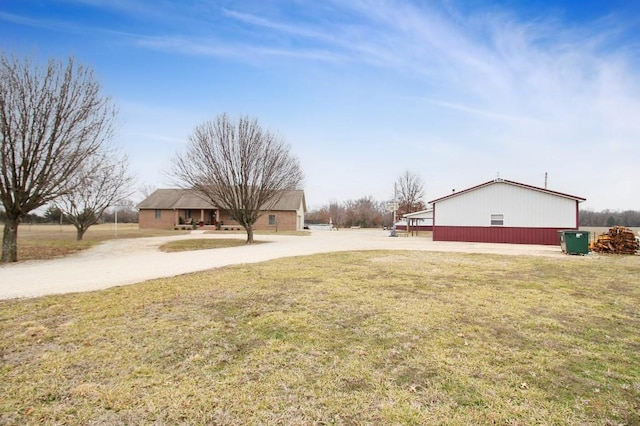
{"x":103,"y":181}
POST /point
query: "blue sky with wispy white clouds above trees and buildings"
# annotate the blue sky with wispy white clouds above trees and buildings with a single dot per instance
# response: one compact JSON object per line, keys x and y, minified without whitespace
{"x":363,"y":90}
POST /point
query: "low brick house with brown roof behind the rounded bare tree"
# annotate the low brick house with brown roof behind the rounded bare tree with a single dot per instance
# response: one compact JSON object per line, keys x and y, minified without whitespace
{"x":169,"y":208}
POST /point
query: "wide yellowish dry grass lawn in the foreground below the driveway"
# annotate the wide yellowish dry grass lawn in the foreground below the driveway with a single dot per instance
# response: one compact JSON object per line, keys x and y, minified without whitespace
{"x":347,"y":338}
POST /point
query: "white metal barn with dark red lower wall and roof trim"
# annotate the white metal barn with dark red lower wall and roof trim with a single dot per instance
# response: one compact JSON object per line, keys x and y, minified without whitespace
{"x":503,"y":211}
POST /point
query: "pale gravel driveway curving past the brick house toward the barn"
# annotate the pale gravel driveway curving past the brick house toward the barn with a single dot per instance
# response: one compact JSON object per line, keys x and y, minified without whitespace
{"x":129,"y":261}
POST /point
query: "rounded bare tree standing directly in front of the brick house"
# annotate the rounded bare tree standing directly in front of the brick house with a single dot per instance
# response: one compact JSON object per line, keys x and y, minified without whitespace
{"x":238,"y":166}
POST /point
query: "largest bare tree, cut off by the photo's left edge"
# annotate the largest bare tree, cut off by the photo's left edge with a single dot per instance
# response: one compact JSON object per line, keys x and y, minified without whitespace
{"x":52,"y":119}
